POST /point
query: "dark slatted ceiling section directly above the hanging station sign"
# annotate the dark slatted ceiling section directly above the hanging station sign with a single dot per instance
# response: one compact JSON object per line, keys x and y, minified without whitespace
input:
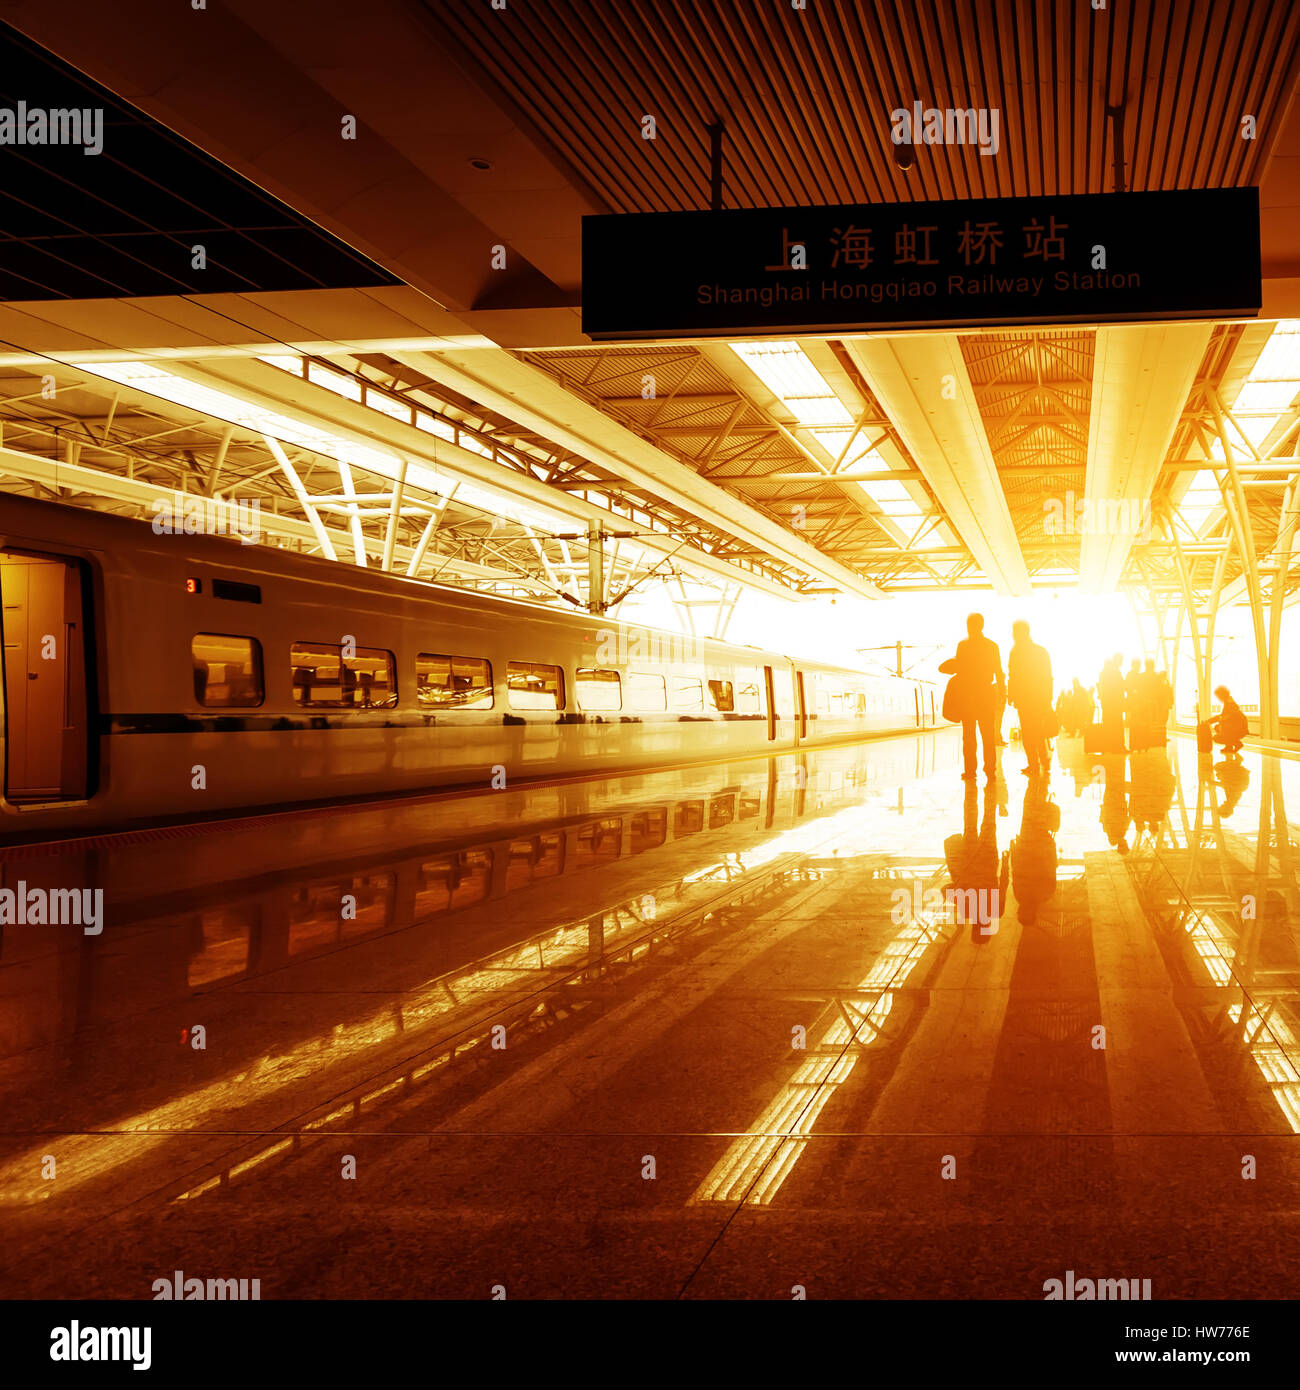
{"x":806,"y":95}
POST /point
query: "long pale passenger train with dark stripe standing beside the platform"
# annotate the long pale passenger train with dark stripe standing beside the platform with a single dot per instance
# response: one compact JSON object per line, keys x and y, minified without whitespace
{"x":154,"y":676}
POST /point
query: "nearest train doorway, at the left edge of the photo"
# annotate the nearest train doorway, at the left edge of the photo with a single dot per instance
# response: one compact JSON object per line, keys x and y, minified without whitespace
{"x":47,"y":717}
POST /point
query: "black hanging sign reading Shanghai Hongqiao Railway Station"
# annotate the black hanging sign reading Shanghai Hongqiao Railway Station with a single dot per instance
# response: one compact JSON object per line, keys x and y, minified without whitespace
{"x":1096,"y":258}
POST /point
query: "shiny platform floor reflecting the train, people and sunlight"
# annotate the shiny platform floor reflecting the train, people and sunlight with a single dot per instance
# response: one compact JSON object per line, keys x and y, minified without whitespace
{"x":834,"y":1024}
